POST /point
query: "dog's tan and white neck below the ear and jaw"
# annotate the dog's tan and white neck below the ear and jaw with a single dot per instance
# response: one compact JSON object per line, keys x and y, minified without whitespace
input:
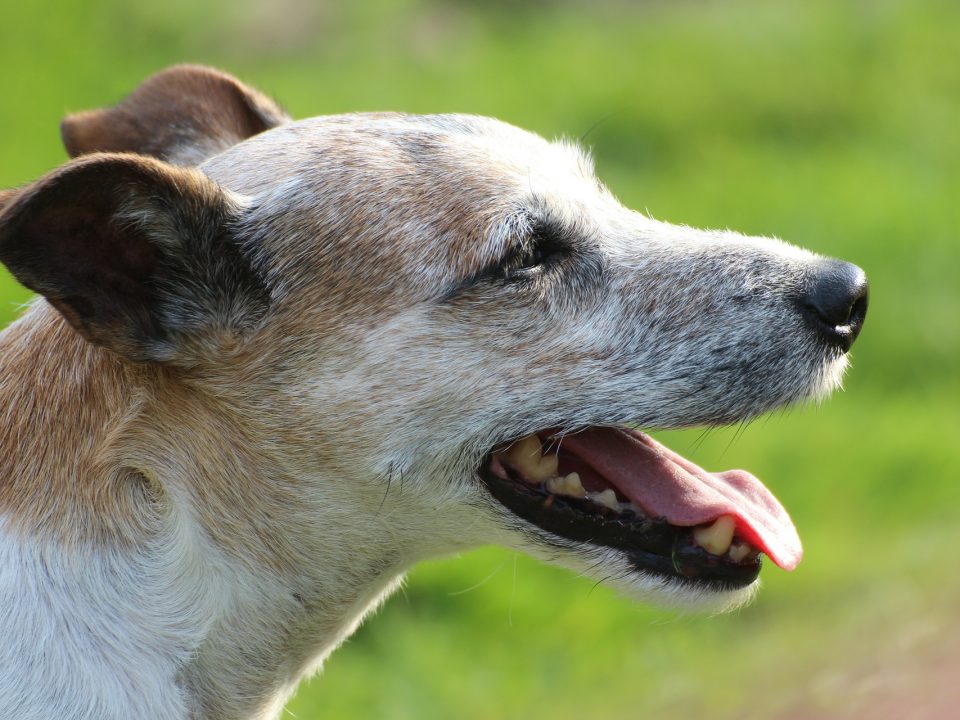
{"x":161,"y":543}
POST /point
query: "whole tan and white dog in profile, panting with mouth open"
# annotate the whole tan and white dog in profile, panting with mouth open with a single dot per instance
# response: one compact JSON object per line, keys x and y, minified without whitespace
{"x":275,"y":364}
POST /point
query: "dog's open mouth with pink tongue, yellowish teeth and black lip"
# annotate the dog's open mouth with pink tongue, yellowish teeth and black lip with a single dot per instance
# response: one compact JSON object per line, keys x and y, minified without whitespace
{"x":620,"y":488}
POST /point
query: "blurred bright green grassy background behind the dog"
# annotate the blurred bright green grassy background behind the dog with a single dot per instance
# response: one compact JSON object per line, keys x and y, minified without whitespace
{"x":831,"y":124}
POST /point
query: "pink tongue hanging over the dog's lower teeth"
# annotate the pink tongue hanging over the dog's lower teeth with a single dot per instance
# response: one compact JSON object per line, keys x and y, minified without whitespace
{"x":667,"y":485}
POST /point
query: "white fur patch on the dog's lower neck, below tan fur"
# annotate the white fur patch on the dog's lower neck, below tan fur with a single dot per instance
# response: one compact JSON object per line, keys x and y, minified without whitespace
{"x":108,"y":631}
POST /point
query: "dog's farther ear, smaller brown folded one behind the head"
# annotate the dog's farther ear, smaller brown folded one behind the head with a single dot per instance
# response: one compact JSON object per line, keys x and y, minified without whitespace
{"x":182,"y":115}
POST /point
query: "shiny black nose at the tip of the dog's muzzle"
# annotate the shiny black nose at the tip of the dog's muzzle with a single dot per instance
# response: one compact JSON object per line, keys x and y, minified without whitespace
{"x":836,"y":302}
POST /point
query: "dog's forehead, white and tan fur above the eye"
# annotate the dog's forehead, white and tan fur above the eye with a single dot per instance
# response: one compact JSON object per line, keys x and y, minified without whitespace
{"x":368,"y":193}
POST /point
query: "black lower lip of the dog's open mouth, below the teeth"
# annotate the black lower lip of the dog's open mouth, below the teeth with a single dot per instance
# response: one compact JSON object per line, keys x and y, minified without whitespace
{"x":653,"y":545}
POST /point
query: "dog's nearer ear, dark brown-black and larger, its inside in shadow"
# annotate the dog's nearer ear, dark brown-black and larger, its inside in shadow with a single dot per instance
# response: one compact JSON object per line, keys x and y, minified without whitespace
{"x":137,"y":255}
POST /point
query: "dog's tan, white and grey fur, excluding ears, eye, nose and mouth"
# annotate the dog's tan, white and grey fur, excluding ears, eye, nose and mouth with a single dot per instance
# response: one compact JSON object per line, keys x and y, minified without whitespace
{"x":187,"y":539}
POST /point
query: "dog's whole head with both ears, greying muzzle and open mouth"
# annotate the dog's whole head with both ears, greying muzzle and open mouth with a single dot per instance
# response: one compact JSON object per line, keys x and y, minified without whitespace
{"x":449,"y":323}
